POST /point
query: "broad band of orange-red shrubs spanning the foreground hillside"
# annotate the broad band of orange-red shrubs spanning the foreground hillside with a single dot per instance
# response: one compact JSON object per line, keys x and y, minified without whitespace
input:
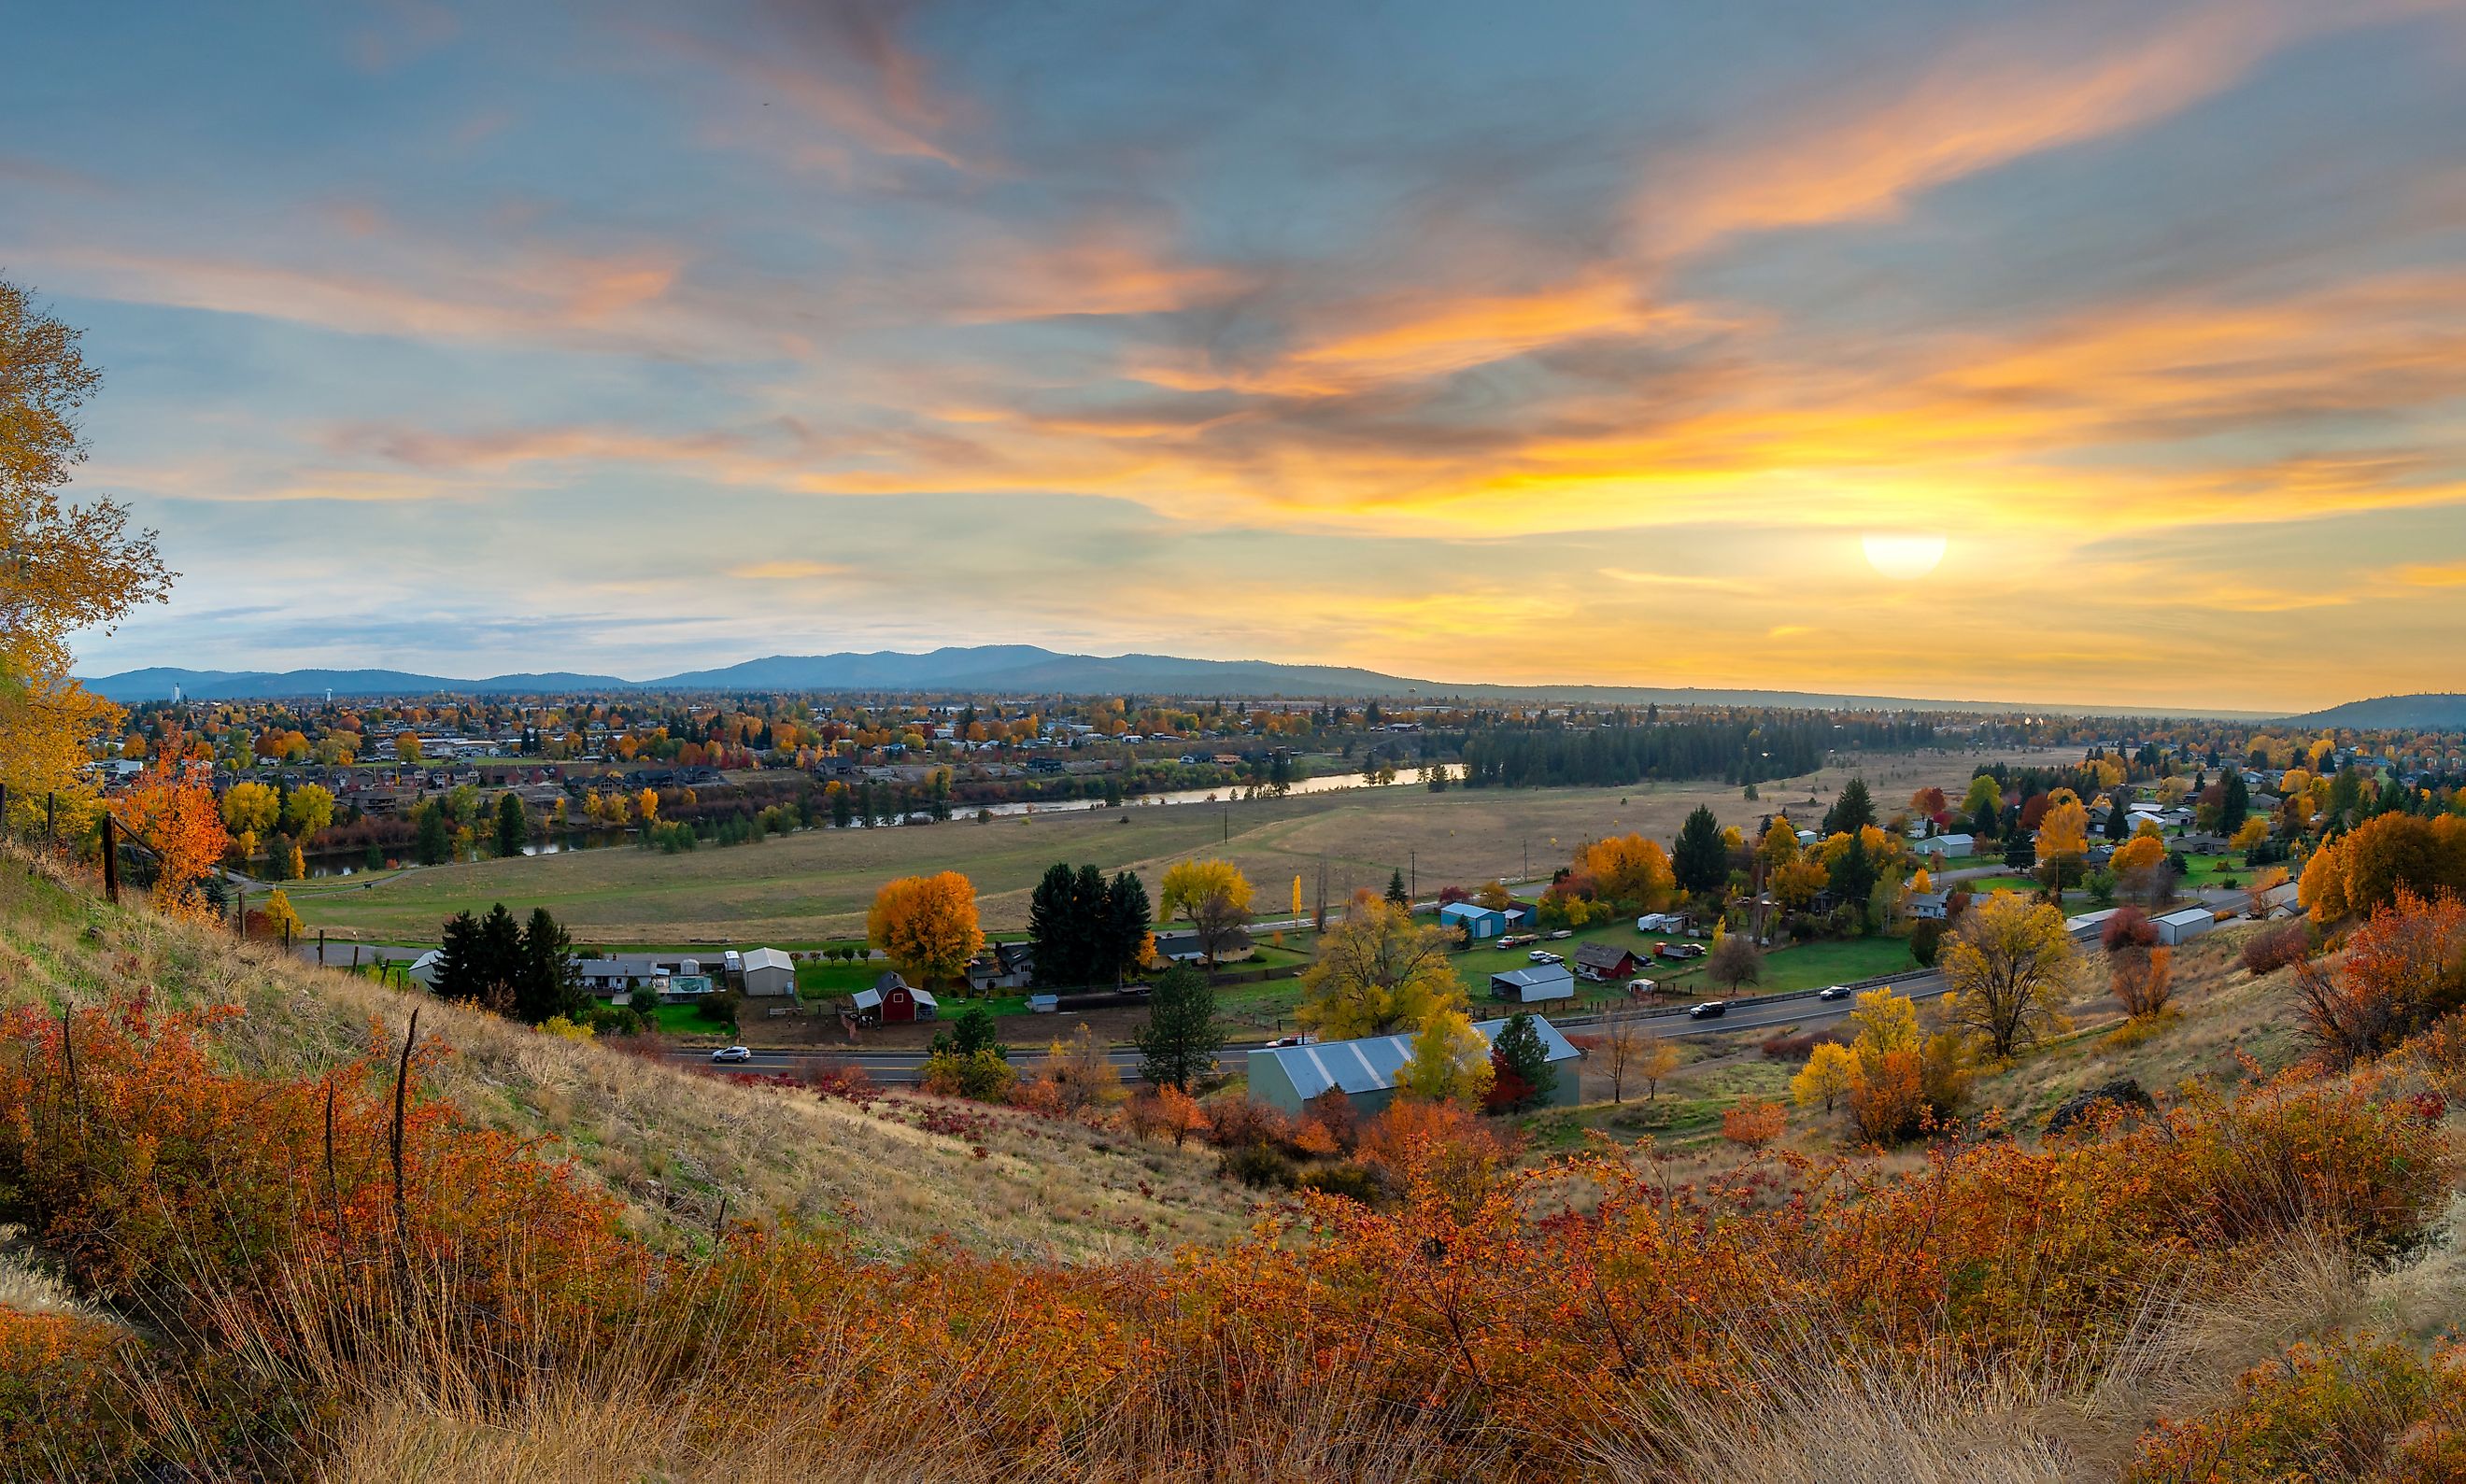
{"x":1505,"y":1315}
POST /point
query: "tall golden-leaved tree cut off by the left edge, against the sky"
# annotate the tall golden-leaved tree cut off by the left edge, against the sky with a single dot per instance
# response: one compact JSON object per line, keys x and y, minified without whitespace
{"x":63,"y":568}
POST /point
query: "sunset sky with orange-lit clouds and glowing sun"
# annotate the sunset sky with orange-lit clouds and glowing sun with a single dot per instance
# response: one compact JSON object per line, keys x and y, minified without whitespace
{"x":2102,"y":354}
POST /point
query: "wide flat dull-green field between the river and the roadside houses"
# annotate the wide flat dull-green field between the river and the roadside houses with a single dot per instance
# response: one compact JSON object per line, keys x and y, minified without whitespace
{"x":815,"y":886}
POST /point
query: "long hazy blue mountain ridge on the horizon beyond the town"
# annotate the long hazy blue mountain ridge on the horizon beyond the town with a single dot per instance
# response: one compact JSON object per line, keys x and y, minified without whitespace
{"x":1005,"y":669}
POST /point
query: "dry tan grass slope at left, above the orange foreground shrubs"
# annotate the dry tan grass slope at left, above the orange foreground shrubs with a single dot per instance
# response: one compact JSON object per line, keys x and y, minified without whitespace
{"x":679,"y":1148}
